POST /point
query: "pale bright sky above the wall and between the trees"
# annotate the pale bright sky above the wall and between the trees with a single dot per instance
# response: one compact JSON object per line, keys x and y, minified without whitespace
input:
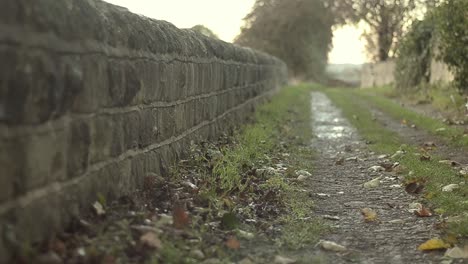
{"x":224,"y":17}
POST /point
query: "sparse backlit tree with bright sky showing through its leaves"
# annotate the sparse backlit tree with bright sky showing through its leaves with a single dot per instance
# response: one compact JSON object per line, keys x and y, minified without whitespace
{"x":387,"y":20}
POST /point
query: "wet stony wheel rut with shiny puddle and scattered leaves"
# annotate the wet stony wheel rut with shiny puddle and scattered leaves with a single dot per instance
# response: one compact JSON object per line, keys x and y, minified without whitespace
{"x":339,"y":192}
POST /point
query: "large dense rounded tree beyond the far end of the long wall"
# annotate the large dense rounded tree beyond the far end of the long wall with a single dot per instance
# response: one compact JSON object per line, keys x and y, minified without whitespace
{"x":297,"y":31}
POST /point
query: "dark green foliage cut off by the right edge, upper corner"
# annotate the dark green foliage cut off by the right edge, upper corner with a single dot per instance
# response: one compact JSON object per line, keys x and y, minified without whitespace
{"x":452,"y":24}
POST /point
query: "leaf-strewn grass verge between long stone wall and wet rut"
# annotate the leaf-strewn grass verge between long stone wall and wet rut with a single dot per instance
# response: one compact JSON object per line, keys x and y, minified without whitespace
{"x":231,"y":200}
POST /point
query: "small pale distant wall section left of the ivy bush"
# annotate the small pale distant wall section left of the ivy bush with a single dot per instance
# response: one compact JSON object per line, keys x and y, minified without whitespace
{"x":377,"y":74}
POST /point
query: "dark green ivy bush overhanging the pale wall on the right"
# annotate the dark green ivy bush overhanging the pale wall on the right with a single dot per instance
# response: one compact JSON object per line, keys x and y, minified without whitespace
{"x":414,"y":55}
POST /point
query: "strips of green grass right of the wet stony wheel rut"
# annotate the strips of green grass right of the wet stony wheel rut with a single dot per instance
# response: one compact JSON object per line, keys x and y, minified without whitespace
{"x":435,"y":175}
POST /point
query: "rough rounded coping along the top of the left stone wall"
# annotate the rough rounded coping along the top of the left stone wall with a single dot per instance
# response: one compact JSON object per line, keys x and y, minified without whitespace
{"x":96,"y":22}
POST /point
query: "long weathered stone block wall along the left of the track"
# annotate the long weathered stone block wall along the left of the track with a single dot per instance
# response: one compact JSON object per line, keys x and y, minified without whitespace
{"x":93,"y":98}
